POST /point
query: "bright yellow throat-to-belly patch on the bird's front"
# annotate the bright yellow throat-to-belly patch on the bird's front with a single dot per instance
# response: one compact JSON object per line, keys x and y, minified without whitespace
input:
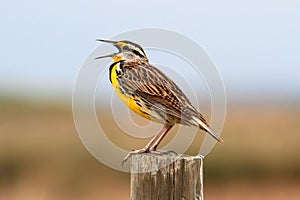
{"x":127,"y":99}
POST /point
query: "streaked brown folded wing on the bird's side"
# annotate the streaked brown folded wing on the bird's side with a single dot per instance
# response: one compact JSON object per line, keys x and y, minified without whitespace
{"x":155,"y":88}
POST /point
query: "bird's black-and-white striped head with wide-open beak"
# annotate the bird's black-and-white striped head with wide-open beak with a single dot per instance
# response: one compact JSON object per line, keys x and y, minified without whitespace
{"x":128,"y":51}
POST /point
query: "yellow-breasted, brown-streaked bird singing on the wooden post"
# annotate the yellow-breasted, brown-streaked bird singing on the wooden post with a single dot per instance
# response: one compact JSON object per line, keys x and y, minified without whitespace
{"x":150,"y":93}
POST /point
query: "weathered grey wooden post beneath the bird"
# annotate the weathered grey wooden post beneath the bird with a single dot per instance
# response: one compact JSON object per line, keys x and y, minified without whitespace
{"x":166,"y":177}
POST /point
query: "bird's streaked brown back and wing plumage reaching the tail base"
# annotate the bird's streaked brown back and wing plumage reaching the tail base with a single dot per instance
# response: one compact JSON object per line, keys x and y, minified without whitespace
{"x":157,"y":91}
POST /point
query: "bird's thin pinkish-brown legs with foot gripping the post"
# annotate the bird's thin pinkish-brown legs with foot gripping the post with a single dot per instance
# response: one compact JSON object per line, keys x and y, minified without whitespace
{"x":152,"y":145}
